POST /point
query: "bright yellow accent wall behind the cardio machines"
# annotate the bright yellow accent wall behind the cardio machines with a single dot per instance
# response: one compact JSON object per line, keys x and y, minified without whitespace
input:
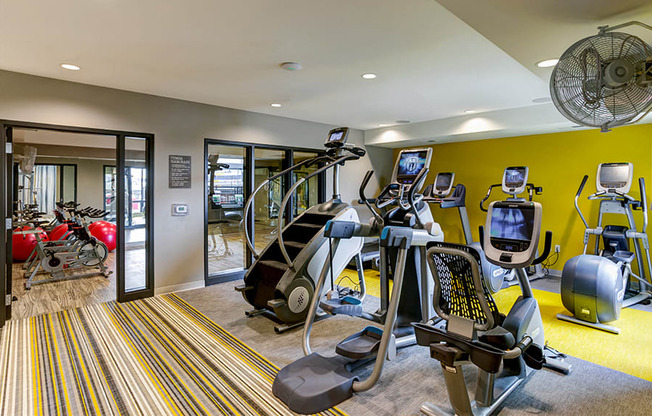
{"x":557,"y":162}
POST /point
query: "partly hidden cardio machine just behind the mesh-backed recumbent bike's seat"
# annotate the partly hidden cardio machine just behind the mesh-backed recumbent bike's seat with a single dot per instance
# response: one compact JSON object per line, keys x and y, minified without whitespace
{"x":438,"y":194}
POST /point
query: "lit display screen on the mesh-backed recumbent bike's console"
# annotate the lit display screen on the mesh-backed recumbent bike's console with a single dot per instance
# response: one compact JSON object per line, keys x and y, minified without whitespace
{"x":512,"y":224}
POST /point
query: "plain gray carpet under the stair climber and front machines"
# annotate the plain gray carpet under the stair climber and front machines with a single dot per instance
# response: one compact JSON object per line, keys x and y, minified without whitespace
{"x":414,"y":377}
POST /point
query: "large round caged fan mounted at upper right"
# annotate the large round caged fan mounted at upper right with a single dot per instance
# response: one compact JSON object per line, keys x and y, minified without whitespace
{"x":604,"y":80}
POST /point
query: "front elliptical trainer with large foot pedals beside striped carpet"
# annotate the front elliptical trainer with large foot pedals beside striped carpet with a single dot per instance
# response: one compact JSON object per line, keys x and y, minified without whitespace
{"x":315,"y":383}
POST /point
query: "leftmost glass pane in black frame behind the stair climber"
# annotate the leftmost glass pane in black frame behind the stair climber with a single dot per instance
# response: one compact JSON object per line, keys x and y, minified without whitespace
{"x":226,"y":182}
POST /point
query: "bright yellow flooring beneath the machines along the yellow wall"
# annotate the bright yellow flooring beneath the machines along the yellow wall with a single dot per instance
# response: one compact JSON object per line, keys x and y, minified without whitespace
{"x":629,"y":352}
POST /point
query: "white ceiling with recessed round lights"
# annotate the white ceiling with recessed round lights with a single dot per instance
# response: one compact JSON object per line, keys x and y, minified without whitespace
{"x":434,"y":60}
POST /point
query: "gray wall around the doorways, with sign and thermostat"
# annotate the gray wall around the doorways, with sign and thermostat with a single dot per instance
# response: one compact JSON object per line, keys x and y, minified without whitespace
{"x":179,"y":128}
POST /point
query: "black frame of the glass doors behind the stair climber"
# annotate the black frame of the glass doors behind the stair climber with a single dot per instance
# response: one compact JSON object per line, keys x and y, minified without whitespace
{"x":249,"y":180}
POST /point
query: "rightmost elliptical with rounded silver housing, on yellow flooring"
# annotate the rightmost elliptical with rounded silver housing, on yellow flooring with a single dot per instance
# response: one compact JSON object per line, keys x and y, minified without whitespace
{"x":594,"y":287}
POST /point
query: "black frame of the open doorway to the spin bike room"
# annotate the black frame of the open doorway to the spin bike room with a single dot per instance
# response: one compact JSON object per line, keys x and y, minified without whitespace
{"x":6,"y":206}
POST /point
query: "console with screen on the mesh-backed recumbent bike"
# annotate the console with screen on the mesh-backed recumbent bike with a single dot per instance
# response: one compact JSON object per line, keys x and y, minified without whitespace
{"x":513,"y":233}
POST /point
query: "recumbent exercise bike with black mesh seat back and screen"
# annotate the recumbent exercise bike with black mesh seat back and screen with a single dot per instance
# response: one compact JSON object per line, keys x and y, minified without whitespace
{"x":505,"y":349}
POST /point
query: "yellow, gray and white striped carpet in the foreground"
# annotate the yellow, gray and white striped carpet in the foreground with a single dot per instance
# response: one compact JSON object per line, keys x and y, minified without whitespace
{"x":157,"y":356}
